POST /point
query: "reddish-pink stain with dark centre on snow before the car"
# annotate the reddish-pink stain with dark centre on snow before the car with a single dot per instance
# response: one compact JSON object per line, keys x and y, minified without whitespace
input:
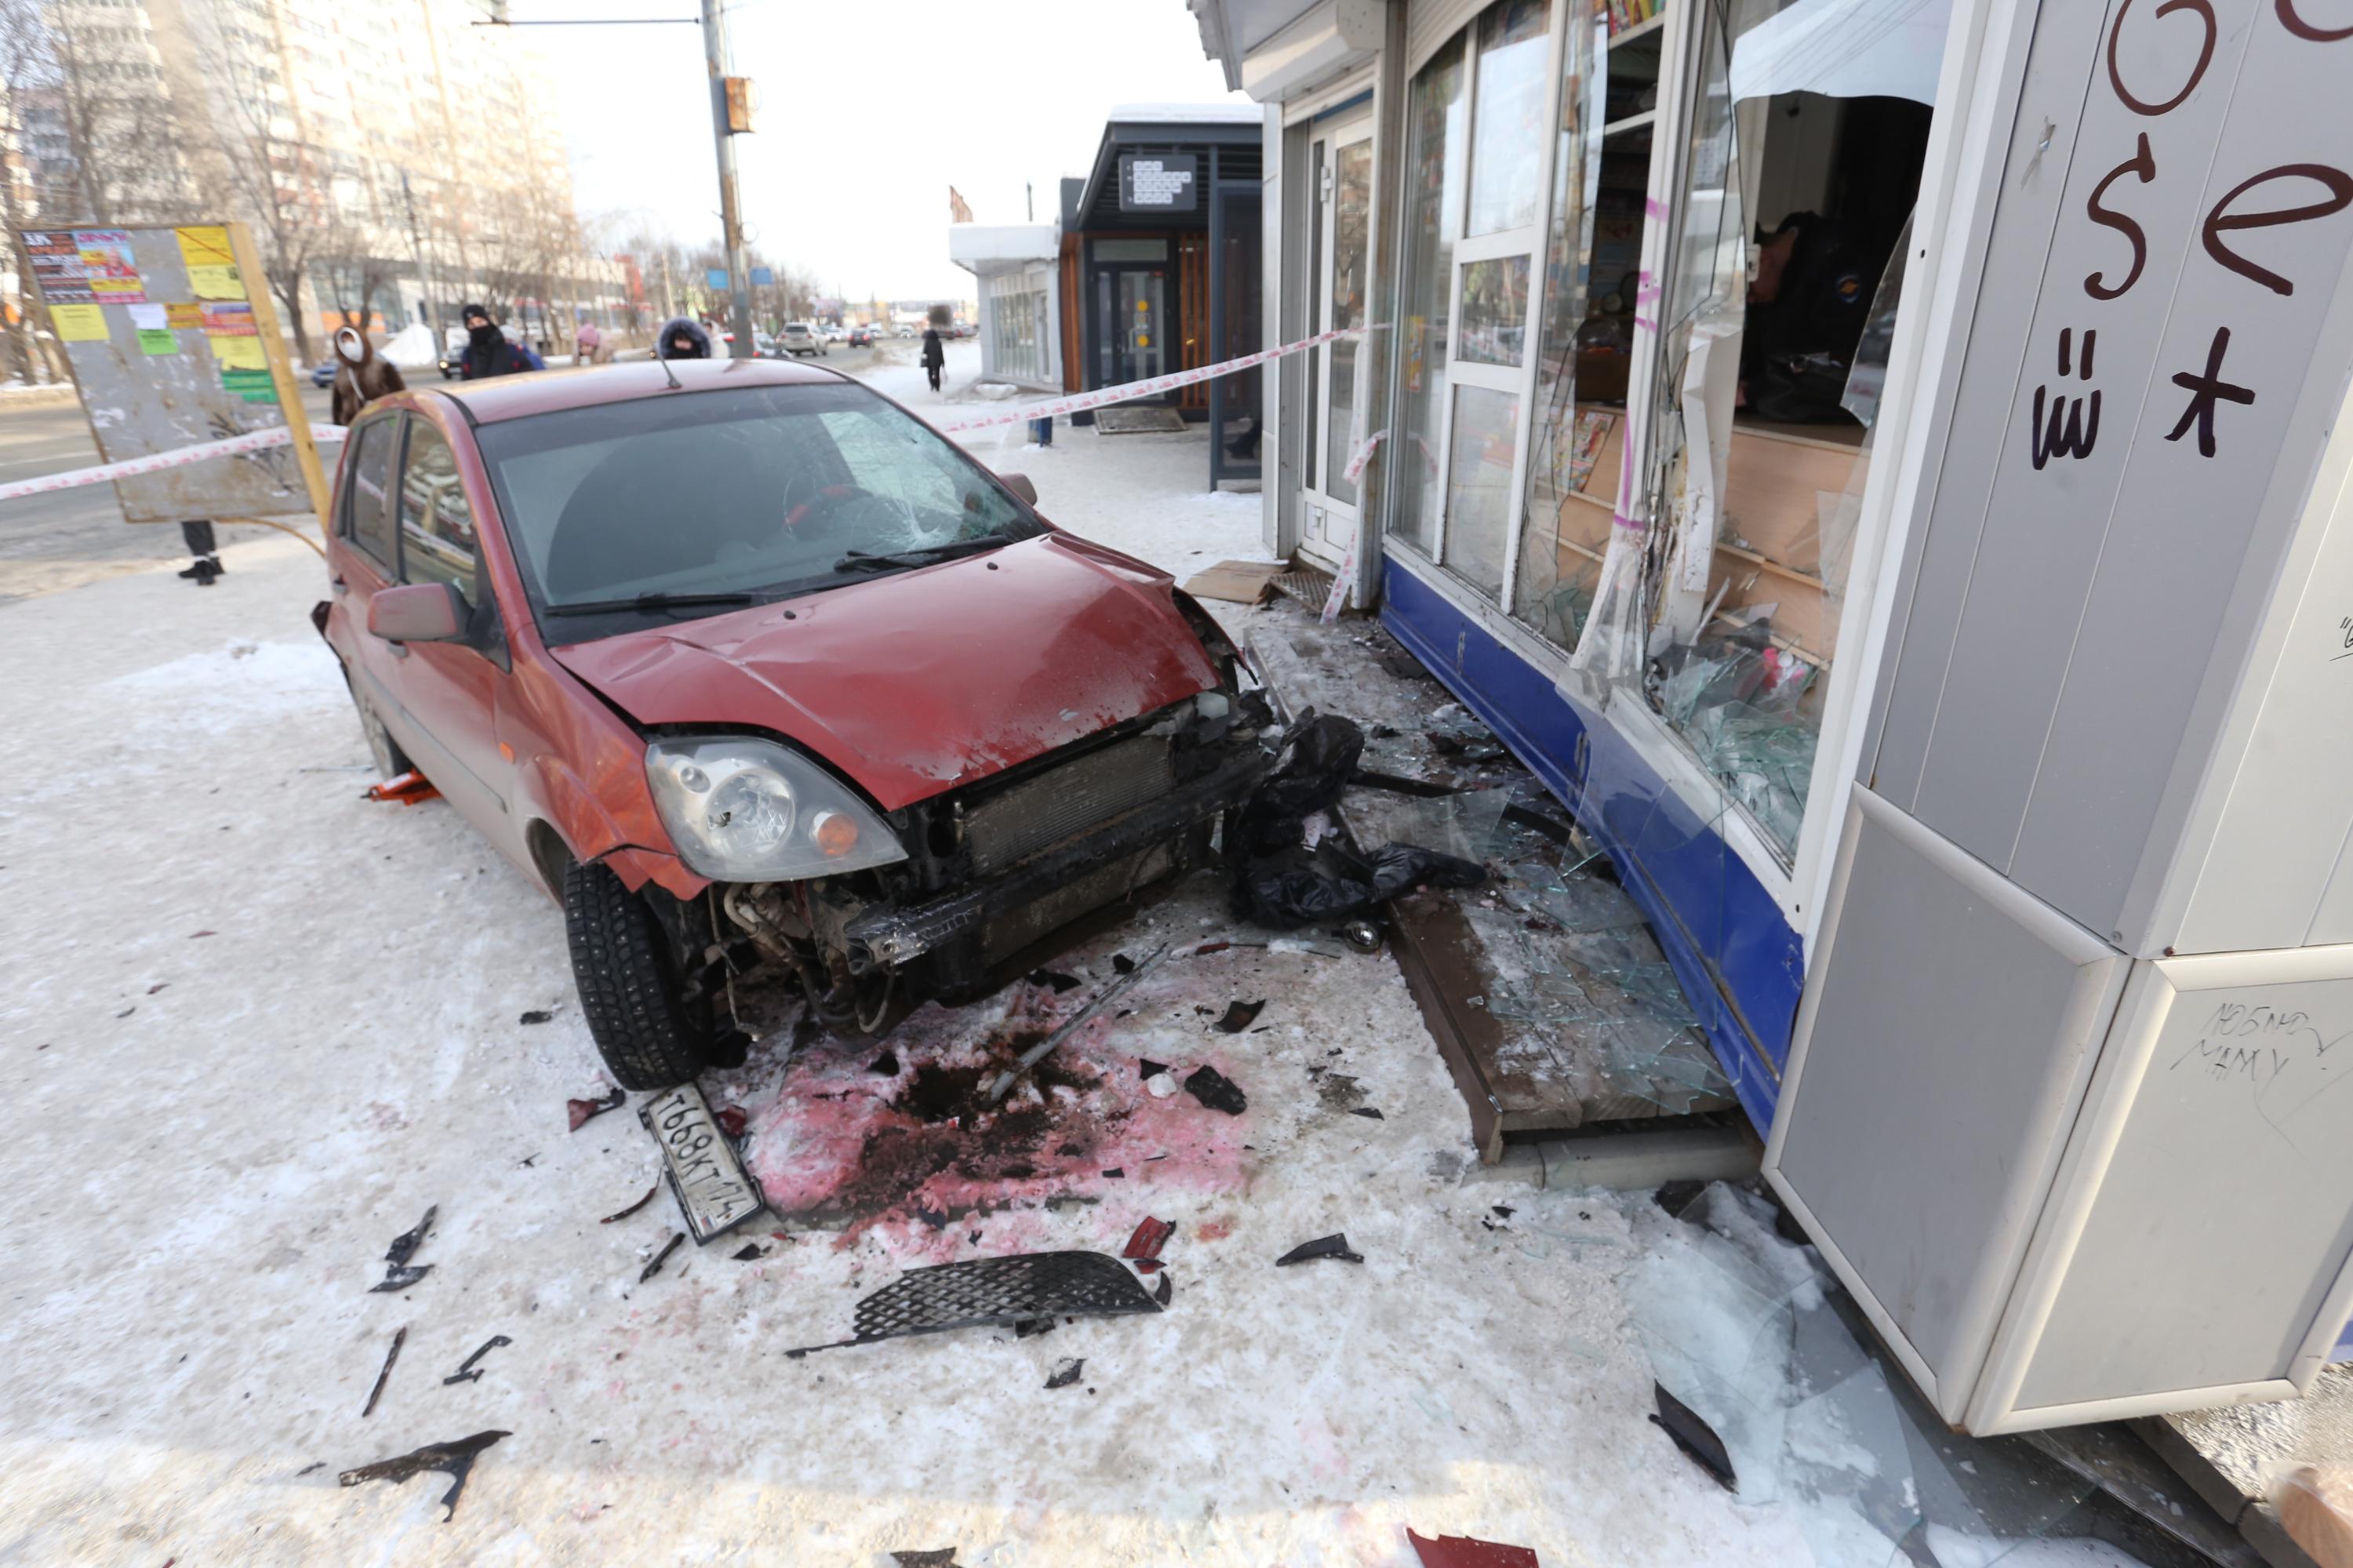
{"x":909,"y":1152}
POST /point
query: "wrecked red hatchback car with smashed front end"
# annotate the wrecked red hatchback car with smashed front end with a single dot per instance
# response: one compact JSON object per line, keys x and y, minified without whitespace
{"x":752,"y":667}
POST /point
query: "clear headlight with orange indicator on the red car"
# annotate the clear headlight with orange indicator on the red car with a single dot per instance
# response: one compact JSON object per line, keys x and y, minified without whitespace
{"x":749,"y":811}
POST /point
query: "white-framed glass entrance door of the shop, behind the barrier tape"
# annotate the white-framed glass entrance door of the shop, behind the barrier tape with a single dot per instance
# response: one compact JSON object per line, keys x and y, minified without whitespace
{"x":1340,"y":255}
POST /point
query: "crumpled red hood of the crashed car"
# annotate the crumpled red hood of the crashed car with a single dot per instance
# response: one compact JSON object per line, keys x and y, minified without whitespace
{"x":931,"y":679}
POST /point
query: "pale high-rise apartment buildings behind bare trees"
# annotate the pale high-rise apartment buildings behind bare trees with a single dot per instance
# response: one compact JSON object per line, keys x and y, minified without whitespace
{"x":392,"y":157}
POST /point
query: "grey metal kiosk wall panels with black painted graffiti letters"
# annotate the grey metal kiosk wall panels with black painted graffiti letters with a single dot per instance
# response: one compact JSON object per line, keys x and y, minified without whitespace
{"x":2065,"y":1101}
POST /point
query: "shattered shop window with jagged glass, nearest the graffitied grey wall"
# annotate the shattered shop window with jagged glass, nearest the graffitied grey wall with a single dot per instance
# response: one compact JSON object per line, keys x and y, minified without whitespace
{"x":1721,"y":604}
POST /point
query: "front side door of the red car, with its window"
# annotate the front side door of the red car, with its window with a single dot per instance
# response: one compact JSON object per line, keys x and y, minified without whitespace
{"x":451,"y":691}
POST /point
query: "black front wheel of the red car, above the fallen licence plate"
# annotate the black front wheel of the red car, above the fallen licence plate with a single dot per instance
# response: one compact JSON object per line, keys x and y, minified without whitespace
{"x":648,"y":1035}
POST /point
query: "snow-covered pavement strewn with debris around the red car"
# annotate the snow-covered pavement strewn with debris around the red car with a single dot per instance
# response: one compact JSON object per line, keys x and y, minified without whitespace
{"x":255,"y":1025}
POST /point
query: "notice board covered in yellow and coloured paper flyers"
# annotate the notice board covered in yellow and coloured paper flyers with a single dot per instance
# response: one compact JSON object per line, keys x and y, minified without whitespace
{"x":173,"y":343}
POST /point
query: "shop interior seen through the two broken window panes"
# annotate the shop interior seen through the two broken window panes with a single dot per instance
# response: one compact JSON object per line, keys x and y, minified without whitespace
{"x":1778,"y":305}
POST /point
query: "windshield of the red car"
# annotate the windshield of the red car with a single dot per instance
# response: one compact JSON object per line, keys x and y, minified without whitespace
{"x":747,"y":491}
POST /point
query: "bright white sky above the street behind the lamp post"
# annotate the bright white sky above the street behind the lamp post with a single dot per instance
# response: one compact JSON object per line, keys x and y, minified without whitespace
{"x":858,"y":145}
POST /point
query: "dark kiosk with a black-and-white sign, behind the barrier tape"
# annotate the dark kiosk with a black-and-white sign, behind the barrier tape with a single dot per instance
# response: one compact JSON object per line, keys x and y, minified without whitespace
{"x":1161,"y":267}
